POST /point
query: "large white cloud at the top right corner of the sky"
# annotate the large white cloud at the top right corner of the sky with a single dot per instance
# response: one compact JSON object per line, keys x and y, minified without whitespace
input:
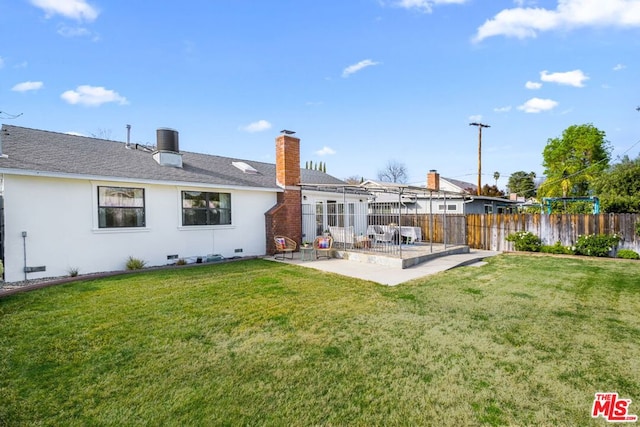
{"x":569,"y":14}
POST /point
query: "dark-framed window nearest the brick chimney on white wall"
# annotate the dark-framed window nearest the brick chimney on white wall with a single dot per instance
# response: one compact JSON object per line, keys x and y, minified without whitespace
{"x":204,"y":208}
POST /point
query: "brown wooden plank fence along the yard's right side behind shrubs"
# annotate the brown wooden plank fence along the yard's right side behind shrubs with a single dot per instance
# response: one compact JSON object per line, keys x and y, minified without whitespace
{"x":489,"y":231}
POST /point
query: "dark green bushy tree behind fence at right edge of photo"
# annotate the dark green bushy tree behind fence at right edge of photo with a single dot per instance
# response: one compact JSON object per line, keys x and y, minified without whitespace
{"x":619,"y":187}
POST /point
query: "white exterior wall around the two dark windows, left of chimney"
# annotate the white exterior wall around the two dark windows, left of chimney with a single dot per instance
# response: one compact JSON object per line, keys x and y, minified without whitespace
{"x":60,"y":218}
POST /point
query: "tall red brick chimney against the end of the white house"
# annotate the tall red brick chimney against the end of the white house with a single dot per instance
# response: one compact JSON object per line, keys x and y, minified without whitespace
{"x":285,"y":218}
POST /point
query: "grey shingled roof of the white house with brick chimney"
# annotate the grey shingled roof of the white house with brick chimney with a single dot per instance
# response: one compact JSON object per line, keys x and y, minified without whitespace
{"x":45,"y":153}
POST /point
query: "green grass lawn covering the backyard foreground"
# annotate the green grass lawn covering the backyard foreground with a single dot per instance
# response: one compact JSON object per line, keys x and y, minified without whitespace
{"x":524,"y":340}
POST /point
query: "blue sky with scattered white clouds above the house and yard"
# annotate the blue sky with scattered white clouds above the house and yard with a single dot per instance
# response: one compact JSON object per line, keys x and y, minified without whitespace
{"x":363,"y":82}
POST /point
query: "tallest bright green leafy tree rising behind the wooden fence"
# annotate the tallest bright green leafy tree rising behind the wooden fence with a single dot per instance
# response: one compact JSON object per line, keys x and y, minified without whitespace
{"x":574,"y":161}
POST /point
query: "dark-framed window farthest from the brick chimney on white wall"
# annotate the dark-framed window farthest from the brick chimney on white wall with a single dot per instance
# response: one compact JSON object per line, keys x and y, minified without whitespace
{"x":120,"y":207}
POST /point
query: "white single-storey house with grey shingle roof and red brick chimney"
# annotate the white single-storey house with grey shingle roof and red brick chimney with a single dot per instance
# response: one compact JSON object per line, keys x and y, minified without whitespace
{"x":72,"y":202}
